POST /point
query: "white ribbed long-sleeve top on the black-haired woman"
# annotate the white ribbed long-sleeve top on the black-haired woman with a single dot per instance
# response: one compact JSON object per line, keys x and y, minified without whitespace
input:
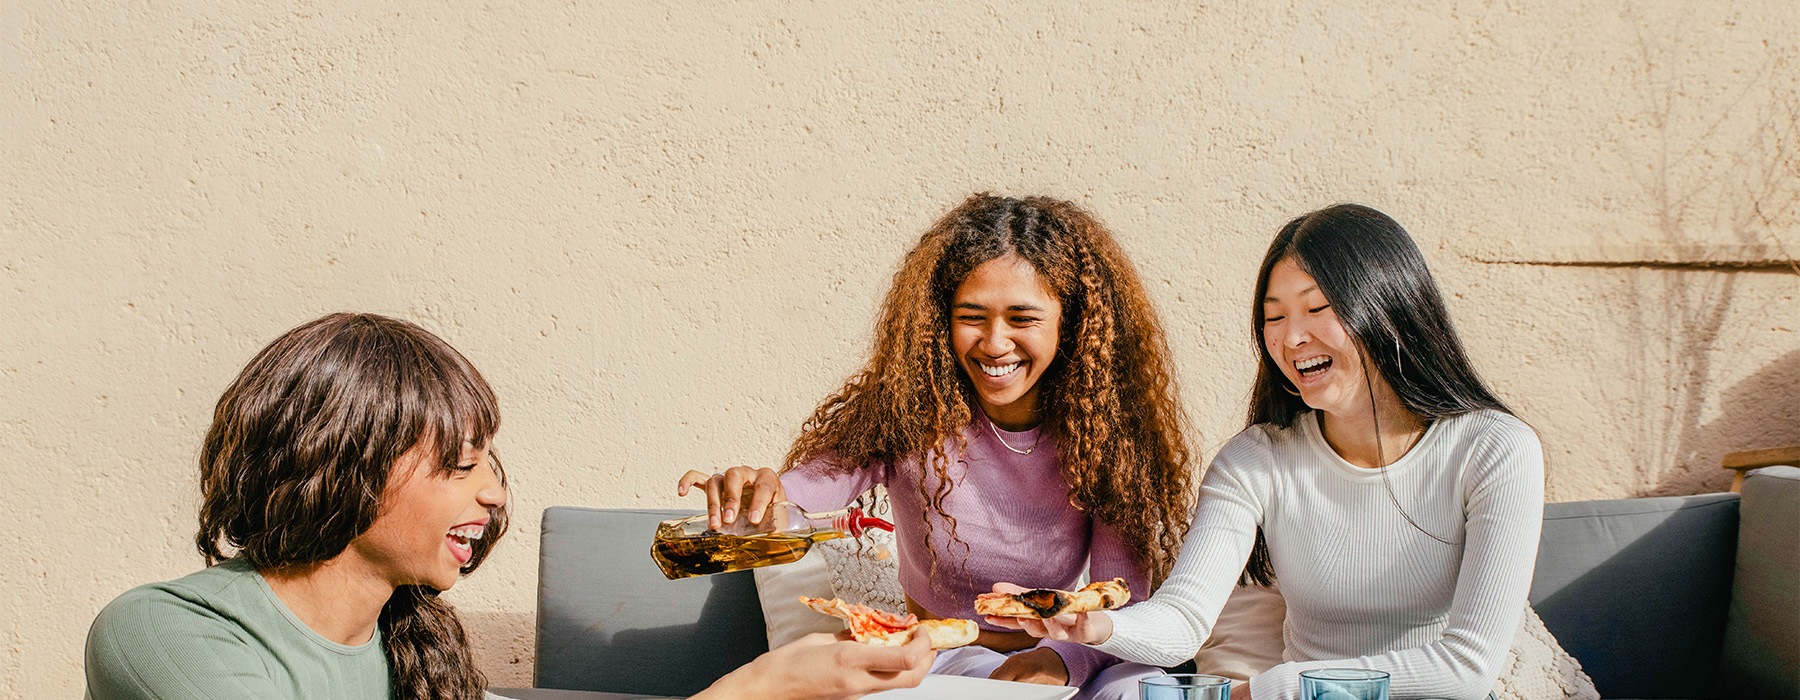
{"x":1363,"y":588}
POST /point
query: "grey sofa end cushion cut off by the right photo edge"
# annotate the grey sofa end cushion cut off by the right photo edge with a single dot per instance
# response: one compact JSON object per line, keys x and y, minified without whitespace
{"x":1763,"y":629}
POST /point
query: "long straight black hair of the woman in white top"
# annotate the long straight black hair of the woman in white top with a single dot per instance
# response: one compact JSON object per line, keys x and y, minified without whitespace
{"x":1378,"y":283}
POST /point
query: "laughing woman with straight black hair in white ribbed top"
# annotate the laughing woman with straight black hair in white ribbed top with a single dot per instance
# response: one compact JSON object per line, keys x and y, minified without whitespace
{"x":1396,"y":499}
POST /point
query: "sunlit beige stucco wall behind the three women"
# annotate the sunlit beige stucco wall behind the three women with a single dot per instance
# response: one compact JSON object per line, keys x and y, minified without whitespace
{"x":661,"y":231}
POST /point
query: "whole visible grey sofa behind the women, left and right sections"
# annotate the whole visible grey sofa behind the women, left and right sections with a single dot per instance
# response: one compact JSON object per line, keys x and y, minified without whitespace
{"x":1659,"y":598}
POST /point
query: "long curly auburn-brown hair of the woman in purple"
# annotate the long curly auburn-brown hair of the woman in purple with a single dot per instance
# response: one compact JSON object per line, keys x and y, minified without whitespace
{"x":1108,"y":399}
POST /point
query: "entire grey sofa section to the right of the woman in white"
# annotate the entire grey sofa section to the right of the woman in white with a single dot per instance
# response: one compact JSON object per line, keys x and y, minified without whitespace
{"x":1678,"y":598}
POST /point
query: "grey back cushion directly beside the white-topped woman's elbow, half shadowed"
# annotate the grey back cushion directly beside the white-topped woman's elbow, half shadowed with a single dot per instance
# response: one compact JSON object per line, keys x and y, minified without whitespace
{"x":1637,"y":591}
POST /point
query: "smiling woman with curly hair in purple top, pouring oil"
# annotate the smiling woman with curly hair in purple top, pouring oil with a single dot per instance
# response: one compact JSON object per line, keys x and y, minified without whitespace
{"x":1021,"y":413}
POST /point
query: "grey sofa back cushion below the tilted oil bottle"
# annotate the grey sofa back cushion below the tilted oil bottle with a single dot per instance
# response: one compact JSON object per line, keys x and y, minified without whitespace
{"x":609,"y":622}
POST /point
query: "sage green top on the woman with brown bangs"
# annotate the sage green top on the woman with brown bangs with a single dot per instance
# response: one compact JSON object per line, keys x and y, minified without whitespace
{"x":222,"y":634}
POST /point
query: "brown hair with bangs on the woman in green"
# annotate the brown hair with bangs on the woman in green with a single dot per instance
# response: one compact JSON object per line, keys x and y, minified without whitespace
{"x":303,"y":447}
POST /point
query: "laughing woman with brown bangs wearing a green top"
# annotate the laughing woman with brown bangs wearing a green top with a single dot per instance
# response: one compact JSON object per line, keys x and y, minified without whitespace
{"x":346,"y":481}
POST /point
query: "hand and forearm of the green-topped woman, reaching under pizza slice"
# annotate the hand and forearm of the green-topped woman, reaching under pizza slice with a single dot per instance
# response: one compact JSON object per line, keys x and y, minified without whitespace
{"x":823,"y":667}
